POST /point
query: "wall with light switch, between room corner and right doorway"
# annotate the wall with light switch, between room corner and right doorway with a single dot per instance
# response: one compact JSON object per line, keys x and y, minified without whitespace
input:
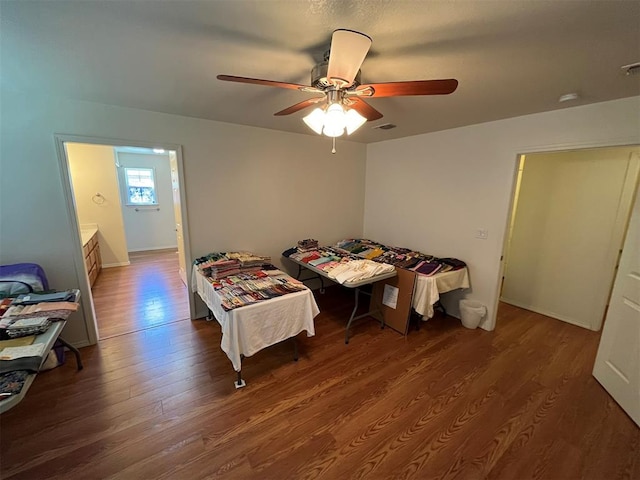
{"x":432,"y":192}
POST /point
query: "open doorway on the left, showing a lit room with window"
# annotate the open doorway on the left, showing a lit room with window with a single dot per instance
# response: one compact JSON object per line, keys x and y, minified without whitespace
{"x":127,"y":202}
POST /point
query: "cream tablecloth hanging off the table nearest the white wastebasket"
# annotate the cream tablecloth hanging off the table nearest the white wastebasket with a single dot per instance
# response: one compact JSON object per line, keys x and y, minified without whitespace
{"x":427,"y":290}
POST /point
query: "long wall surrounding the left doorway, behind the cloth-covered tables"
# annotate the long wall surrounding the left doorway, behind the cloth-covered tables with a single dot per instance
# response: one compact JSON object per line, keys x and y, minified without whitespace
{"x":246,"y":188}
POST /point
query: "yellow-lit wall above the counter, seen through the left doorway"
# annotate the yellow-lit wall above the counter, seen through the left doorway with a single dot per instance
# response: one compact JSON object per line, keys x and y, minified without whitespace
{"x":92,"y":169}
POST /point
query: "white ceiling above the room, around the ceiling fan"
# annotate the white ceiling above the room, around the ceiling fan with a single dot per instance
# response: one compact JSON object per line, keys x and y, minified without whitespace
{"x":511,"y":57}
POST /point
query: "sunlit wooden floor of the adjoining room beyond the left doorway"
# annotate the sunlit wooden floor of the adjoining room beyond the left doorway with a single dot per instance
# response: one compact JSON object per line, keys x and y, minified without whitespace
{"x":144,"y":294}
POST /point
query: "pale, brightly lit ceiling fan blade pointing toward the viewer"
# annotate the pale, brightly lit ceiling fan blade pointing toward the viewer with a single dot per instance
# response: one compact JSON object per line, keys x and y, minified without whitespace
{"x":348,"y":49}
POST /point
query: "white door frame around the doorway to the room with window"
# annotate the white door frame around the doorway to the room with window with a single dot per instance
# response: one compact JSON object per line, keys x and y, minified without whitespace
{"x":72,"y":215}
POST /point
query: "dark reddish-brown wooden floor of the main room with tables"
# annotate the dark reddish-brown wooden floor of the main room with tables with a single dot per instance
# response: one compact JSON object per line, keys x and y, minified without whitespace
{"x":444,"y":403}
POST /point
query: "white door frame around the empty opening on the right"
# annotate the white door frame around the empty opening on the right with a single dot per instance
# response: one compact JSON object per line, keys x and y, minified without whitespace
{"x":515,"y":183}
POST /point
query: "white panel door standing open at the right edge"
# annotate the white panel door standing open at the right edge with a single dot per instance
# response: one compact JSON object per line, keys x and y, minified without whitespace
{"x":617,"y":365}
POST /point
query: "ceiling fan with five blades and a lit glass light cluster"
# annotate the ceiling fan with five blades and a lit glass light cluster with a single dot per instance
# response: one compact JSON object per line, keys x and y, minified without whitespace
{"x":339,"y":92}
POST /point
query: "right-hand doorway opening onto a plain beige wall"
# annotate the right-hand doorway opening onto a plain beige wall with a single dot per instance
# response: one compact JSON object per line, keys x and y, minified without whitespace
{"x":570,"y":212}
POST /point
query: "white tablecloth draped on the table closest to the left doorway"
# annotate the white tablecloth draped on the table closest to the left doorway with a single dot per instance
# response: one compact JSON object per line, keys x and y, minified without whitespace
{"x":247,"y":330}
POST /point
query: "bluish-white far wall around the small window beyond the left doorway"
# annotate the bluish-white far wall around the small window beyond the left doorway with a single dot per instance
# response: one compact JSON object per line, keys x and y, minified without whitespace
{"x":153,"y":227}
